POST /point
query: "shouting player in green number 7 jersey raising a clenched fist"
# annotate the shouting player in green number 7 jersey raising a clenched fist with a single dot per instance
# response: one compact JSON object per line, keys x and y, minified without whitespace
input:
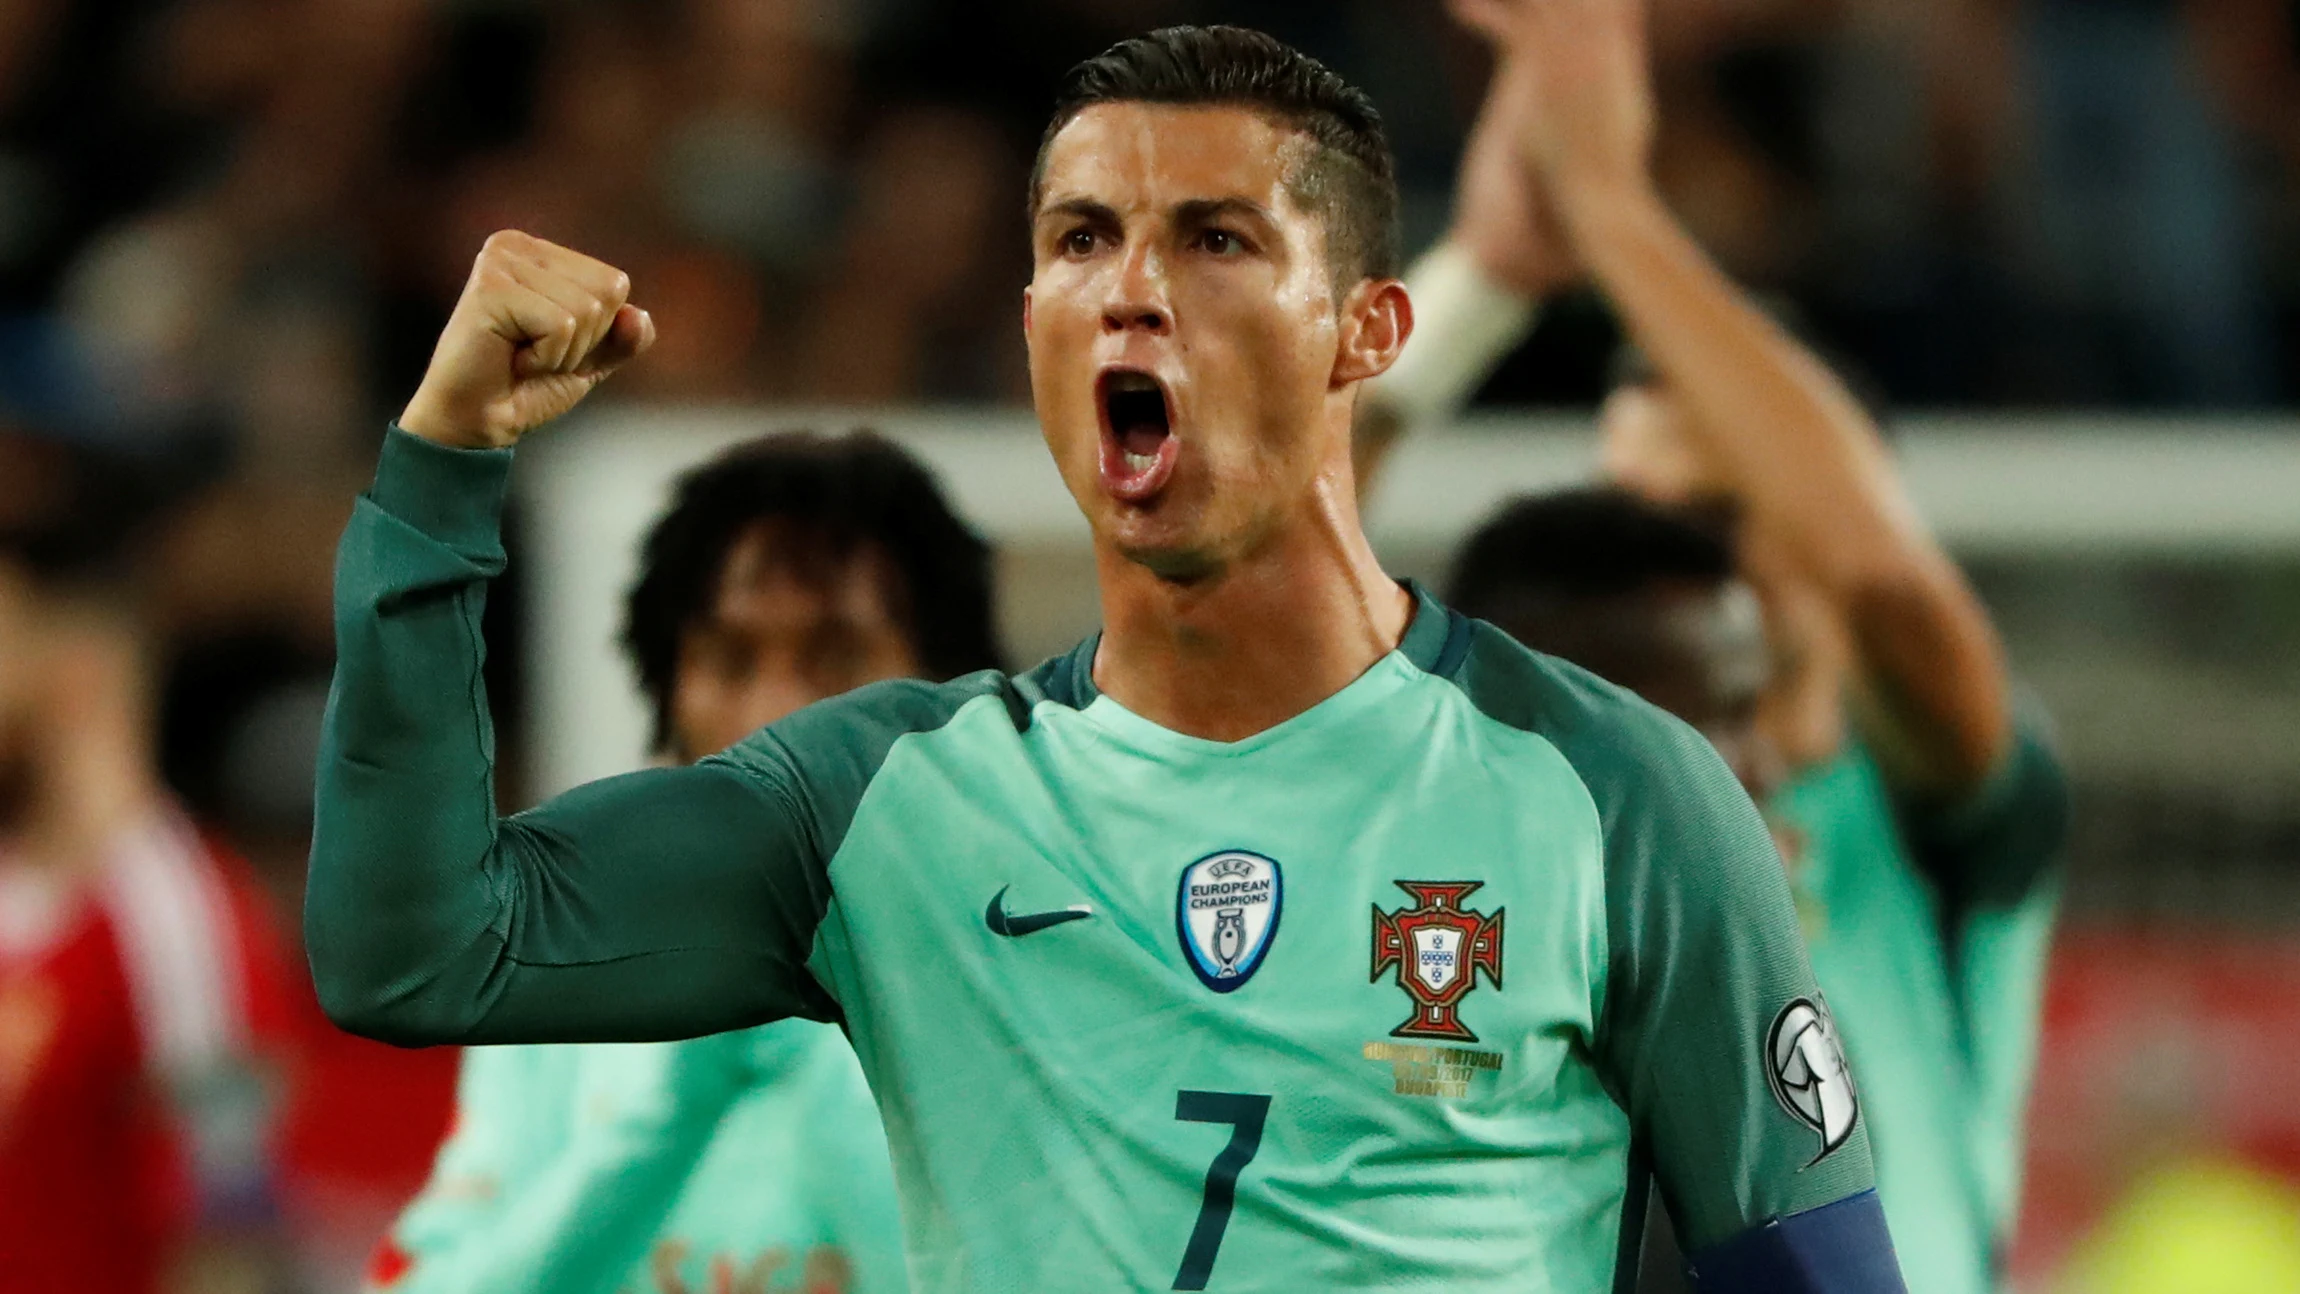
{"x":1291,"y":932}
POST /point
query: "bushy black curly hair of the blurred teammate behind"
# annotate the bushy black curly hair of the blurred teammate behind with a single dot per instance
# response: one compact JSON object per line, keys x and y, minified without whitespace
{"x":836,"y":498}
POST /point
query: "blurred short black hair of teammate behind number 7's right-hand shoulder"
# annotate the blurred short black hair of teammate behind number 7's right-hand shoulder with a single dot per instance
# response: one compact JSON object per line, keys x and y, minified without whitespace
{"x":1567,"y":548}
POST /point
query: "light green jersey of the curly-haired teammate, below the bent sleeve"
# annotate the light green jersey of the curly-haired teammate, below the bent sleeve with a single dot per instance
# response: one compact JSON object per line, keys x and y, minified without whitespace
{"x":597,"y":1169}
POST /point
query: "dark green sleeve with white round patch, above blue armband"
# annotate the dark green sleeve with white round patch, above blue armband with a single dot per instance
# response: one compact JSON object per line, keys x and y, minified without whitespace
{"x":1703,"y":960}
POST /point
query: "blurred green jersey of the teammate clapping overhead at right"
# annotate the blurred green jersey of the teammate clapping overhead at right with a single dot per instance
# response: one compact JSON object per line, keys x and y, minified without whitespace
{"x":1929,"y":932}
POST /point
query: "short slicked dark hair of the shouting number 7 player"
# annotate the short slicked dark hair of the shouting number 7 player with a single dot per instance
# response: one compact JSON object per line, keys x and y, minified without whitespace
{"x":1351,"y":178}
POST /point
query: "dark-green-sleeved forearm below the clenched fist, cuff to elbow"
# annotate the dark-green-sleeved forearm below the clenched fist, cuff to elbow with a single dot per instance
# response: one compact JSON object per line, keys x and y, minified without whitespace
{"x":404,"y":822}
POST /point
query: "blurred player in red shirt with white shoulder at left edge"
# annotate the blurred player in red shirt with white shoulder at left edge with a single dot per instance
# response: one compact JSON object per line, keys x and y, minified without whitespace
{"x":141,"y":994}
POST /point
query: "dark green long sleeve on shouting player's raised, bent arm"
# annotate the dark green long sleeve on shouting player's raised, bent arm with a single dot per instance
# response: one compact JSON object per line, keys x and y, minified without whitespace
{"x":650,"y":907}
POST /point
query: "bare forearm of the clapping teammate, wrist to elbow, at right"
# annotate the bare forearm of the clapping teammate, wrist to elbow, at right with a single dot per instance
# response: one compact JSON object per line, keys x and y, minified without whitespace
{"x":1816,"y":482}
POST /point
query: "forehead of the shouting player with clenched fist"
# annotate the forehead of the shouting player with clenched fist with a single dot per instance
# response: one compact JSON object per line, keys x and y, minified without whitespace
{"x":1153,"y":155}
